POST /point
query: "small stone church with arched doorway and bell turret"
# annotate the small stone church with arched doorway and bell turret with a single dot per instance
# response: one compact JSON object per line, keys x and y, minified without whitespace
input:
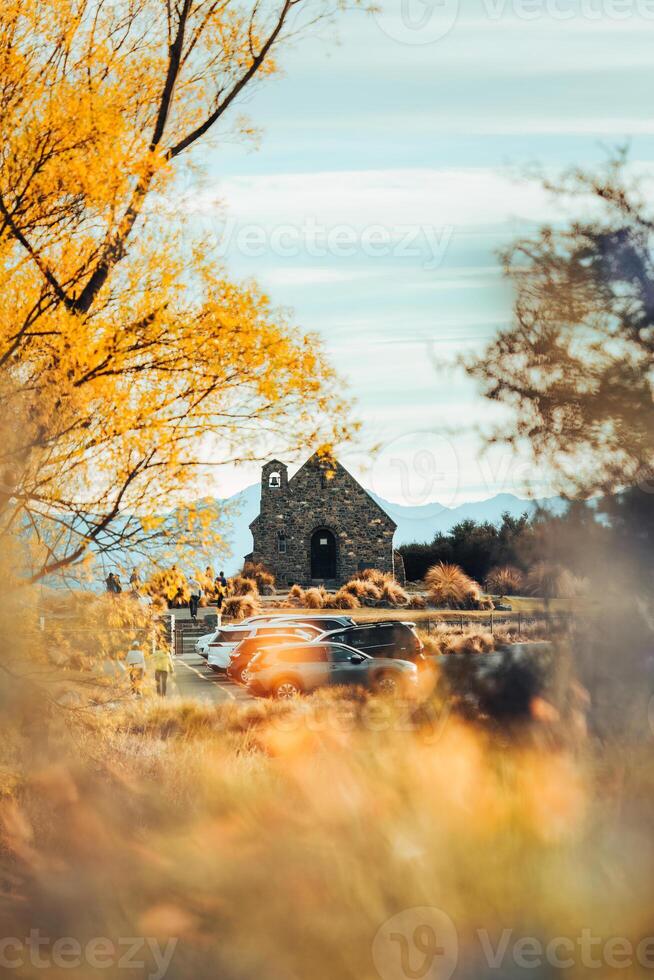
{"x":320,"y":526}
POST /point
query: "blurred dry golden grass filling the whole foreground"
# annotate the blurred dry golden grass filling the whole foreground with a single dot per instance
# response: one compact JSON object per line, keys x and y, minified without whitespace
{"x":188,"y":821}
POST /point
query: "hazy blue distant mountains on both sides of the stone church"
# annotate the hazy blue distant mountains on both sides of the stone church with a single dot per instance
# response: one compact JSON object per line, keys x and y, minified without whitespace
{"x":413,"y":523}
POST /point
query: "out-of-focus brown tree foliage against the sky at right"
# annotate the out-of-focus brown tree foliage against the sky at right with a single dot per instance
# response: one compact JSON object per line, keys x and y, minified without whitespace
{"x":576,"y":364}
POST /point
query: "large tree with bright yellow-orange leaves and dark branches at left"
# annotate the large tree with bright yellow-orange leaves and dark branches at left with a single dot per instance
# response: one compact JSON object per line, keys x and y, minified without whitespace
{"x":129,"y":362}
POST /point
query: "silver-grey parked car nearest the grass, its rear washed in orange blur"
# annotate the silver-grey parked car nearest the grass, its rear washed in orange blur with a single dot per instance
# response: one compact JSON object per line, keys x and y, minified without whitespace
{"x":289,"y":670}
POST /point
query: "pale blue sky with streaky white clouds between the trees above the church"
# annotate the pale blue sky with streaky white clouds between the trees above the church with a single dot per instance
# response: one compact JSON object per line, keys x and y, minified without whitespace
{"x":392,"y":164}
